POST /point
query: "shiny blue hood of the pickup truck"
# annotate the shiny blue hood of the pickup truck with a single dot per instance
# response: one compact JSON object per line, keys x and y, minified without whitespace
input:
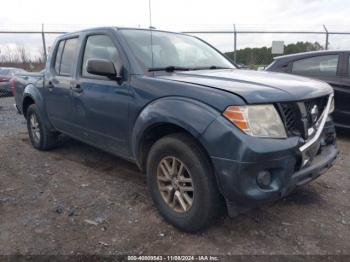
{"x":255,"y":86}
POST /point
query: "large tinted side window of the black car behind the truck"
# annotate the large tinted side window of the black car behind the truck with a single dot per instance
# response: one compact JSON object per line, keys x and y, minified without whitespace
{"x":325,"y":65}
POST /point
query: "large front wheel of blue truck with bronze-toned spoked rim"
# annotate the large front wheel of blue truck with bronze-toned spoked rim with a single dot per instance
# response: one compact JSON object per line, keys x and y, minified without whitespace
{"x":204,"y":204}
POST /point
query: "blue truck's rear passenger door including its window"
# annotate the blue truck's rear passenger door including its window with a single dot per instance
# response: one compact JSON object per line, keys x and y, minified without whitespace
{"x":58,"y":85}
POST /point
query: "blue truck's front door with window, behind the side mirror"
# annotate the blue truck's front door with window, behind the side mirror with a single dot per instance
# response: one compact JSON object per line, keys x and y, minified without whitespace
{"x":102,"y":102}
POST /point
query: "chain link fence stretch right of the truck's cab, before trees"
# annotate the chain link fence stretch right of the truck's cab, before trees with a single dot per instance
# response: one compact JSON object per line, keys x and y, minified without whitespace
{"x":251,"y":46}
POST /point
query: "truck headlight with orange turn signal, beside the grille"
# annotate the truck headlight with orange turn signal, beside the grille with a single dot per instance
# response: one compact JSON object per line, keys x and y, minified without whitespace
{"x":257,"y":120}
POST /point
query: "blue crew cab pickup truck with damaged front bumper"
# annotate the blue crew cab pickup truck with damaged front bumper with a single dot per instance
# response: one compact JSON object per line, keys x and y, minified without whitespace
{"x":210,"y":137}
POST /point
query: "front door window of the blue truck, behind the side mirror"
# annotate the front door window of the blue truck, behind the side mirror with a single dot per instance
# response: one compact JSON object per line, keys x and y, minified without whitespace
{"x":99,"y":47}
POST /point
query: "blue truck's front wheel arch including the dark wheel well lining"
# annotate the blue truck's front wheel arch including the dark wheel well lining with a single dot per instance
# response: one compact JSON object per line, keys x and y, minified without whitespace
{"x":167,"y":116}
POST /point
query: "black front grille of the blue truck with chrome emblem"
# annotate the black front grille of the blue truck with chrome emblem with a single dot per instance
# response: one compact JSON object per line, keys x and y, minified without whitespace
{"x":299,"y":116}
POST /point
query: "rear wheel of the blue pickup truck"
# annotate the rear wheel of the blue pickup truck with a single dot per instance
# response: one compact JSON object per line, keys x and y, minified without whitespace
{"x":40,"y":136}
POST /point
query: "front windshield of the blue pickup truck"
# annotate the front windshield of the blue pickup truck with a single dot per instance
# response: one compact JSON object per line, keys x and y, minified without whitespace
{"x":171,"y":49}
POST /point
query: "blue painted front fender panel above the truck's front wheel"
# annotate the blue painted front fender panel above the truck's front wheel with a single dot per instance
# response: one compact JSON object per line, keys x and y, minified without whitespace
{"x":189,"y":114}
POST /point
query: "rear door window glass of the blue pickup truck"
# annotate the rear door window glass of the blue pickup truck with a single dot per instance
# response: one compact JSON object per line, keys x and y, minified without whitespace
{"x":68,"y":55}
